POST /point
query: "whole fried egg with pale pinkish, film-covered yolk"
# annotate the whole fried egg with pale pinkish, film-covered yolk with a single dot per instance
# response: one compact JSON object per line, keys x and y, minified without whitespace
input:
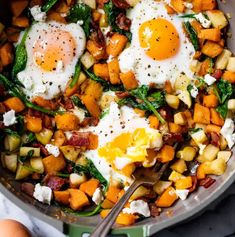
{"x":53,"y":49}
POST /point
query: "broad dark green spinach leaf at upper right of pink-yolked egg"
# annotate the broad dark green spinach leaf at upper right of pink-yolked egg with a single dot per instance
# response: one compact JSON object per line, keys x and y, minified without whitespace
{"x":81,"y":12}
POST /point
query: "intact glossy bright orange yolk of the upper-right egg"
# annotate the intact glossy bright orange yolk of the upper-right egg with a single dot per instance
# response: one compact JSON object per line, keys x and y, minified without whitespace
{"x":159,"y":38}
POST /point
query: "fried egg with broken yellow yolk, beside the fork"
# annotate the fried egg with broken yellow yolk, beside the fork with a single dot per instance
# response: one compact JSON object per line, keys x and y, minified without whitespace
{"x":124,"y":138}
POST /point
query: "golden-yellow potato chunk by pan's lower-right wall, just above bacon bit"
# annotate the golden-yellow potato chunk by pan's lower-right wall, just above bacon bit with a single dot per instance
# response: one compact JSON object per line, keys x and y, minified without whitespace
{"x":216,"y":167}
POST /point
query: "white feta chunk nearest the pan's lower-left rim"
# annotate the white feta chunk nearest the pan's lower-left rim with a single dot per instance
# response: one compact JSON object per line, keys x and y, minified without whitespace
{"x":42,"y":193}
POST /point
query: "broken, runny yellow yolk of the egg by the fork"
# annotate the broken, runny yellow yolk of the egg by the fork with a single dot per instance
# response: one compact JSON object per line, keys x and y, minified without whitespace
{"x":133,"y":146}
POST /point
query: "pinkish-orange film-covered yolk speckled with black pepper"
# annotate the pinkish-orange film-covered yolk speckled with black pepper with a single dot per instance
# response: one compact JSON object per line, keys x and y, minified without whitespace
{"x":54,"y":46}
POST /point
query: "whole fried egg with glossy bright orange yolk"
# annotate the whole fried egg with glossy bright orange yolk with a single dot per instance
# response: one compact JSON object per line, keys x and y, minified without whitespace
{"x":159,"y":49}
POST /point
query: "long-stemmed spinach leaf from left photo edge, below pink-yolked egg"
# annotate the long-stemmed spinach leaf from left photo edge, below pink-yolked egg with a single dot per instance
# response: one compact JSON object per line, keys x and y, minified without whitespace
{"x":14,"y":90}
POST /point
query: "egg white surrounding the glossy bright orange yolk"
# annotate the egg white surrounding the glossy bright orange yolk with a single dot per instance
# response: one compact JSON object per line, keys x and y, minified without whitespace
{"x":145,"y":68}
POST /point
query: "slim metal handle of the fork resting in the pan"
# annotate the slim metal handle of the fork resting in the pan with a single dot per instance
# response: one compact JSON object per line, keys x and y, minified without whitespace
{"x":106,"y":224}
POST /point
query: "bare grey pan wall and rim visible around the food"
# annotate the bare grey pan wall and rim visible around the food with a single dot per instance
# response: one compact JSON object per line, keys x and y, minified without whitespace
{"x":75,"y":226}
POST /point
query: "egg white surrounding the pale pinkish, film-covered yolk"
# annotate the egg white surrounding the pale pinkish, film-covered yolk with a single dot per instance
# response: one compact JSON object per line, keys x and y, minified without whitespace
{"x":47,"y":84}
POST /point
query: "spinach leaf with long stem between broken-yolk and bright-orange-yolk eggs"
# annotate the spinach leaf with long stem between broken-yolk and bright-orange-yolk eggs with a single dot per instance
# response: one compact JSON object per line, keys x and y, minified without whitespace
{"x":142,"y":93}
